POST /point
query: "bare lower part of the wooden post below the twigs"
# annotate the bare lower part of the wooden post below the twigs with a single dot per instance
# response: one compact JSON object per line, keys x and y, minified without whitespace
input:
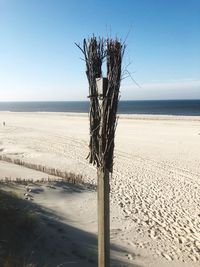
{"x":103,"y":191}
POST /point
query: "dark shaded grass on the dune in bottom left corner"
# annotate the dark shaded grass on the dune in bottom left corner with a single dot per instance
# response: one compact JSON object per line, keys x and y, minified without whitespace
{"x":17,"y":228}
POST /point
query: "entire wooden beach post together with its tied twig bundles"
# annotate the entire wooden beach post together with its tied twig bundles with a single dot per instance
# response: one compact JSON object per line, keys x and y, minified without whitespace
{"x":103,"y":95}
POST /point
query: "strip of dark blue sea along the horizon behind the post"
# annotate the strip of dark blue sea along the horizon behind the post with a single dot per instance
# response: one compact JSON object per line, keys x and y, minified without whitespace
{"x":151,"y":107}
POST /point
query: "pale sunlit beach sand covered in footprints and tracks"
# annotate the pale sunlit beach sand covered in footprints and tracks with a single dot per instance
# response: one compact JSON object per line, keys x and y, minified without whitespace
{"x":155,"y":210}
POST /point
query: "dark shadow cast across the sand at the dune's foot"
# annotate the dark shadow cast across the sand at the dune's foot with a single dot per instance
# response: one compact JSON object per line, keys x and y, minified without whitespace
{"x":52,"y":243}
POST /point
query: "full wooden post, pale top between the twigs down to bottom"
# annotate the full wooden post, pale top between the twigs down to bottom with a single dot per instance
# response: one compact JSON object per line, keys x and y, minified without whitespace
{"x":103,"y":187}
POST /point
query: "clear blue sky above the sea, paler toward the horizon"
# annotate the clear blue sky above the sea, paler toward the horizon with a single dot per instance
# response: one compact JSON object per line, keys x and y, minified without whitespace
{"x":39,"y":61}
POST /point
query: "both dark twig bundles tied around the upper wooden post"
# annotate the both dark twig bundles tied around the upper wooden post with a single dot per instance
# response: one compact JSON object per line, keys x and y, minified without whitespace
{"x":103,"y":110}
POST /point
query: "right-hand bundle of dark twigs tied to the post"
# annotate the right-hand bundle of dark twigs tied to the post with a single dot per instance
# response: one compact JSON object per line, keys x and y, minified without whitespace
{"x":114,"y":54}
